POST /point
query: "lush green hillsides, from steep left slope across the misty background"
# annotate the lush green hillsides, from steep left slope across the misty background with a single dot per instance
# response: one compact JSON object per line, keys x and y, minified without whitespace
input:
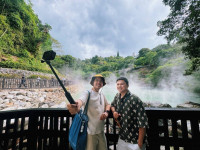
{"x":23,"y":39}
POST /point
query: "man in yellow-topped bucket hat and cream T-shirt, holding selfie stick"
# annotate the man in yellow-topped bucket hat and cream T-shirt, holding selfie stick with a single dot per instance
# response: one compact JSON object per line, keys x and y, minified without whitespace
{"x":98,"y":109}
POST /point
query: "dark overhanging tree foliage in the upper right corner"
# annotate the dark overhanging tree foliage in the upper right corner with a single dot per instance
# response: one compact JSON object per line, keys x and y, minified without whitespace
{"x":182,"y":25}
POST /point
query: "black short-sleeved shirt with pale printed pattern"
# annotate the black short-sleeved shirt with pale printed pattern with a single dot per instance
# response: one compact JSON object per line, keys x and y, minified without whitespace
{"x":133,"y":116}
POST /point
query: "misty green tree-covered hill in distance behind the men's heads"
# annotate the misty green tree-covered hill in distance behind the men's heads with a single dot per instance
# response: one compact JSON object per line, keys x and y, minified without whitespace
{"x":164,"y":65}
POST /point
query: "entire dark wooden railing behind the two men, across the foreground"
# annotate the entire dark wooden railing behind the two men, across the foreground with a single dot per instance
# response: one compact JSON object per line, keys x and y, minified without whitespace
{"x":47,"y":129}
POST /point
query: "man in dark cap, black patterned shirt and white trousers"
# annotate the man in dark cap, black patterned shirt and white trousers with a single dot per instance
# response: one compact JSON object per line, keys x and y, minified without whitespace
{"x":129,"y":110}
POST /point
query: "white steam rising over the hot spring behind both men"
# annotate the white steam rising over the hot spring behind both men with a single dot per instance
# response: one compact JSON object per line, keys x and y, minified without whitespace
{"x":174,"y":89}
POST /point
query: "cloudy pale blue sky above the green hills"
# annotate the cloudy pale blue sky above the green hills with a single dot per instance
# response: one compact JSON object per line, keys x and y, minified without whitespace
{"x":86,"y":28}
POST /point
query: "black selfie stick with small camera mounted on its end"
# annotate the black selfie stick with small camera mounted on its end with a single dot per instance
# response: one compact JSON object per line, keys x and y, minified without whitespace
{"x":50,"y":55}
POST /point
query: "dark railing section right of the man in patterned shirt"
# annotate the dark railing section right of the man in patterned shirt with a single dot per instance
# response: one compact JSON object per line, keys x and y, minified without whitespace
{"x":176,"y":129}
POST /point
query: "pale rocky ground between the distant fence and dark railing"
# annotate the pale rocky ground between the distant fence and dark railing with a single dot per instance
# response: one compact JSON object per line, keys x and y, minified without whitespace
{"x":32,"y":98}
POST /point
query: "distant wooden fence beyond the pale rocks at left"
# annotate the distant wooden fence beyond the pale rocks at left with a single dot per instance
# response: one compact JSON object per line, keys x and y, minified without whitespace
{"x":7,"y":83}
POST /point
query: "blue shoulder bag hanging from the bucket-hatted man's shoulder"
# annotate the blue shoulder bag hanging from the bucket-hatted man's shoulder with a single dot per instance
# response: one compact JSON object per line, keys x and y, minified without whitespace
{"x":78,"y":129}
